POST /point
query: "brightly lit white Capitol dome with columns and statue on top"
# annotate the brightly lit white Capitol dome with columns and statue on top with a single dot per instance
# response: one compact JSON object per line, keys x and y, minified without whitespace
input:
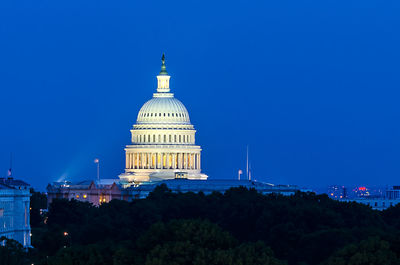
{"x":163,"y":139}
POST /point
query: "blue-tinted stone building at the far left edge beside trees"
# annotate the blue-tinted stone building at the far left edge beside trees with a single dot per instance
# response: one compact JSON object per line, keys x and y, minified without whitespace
{"x":14,"y":210}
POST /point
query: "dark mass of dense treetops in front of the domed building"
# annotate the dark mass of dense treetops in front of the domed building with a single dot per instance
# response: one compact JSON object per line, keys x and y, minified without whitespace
{"x":238,"y":227}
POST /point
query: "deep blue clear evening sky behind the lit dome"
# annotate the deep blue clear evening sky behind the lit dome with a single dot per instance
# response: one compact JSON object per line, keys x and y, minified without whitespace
{"x":311,"y":86}
